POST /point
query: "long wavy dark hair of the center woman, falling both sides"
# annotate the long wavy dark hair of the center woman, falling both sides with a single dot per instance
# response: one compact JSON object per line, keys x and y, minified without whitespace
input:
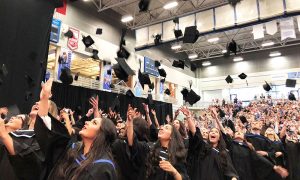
{"x":176,"y":151}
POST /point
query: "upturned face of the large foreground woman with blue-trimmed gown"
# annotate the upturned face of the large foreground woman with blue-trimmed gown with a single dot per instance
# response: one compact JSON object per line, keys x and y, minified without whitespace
{"x":91,"y":128}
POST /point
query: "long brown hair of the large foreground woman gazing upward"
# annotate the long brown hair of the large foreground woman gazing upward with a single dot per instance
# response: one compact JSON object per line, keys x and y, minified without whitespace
{"x":100,"y":148}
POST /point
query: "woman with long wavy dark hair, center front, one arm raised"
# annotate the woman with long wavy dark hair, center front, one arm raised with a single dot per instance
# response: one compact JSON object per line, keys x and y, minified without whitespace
{"x":165,"y":160}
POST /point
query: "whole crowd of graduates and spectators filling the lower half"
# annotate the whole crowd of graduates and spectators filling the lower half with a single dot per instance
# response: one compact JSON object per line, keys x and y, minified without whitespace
{"x":224,"y":141}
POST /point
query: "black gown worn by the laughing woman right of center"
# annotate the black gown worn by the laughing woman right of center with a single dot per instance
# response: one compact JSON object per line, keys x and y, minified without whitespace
{"x":203,"y":161}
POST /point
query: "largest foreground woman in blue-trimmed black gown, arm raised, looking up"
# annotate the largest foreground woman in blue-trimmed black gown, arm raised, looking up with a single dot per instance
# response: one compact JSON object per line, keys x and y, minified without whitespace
{"x":89,"y":159}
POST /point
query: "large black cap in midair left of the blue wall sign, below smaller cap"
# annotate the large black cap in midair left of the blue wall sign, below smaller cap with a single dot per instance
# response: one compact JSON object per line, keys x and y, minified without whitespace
{"x":122,"y":70}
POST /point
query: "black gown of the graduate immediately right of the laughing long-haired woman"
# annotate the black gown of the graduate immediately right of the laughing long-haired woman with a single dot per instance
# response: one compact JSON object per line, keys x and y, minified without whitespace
{"x":247,"y":163}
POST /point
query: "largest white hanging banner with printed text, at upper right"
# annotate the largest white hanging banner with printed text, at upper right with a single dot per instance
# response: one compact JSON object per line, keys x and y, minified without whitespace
{"x":287,"y":28}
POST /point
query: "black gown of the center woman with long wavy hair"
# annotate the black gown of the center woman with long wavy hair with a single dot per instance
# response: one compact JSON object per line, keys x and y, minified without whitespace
{"x":140,"y":151}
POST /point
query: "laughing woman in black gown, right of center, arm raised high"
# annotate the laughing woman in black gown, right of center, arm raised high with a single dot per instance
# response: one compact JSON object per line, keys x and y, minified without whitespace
{"x":208,"y":160}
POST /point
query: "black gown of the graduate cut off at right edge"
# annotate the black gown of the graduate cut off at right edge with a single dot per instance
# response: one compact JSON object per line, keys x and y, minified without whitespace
{"x":293,"y":159}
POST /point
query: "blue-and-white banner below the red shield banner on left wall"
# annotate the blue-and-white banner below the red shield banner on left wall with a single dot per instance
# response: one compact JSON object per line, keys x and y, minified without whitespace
{"x":64,"y":60}
